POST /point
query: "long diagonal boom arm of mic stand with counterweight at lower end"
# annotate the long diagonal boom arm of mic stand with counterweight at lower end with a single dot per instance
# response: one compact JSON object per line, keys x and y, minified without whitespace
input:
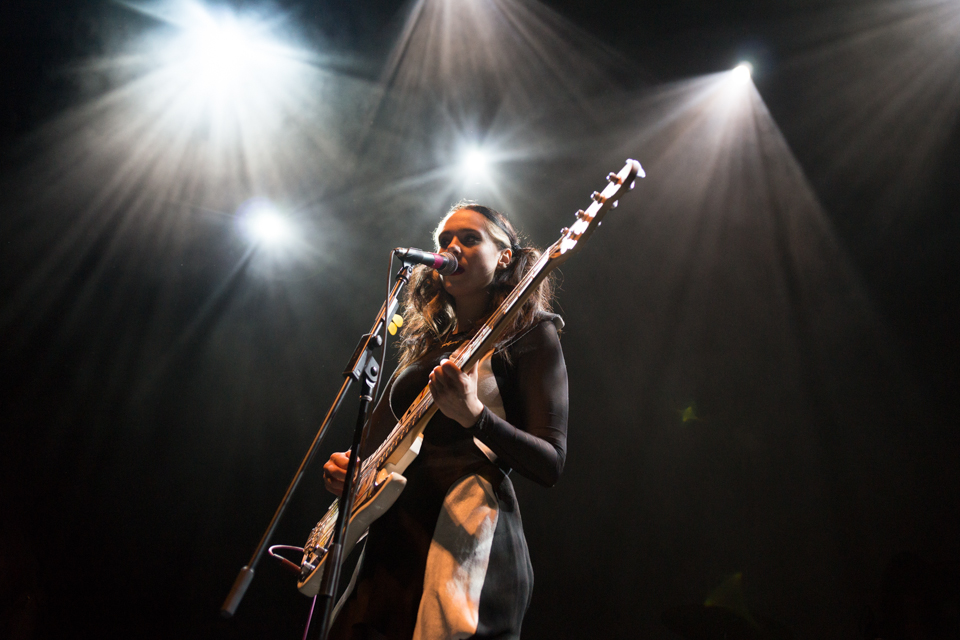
{"x":352,"y":372}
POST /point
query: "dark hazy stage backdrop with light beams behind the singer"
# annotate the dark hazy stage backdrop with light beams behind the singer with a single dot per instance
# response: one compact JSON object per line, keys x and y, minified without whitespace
{"x":788,"y":270}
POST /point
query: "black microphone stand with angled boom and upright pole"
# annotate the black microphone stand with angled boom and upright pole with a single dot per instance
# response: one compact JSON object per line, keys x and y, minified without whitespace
{"x":363,"y":368}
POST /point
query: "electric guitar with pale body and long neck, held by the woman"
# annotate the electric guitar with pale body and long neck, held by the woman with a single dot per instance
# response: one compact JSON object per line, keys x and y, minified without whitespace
{"x":380,"y":480}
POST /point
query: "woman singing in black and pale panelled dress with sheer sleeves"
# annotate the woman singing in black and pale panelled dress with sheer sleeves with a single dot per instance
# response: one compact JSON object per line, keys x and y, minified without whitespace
{"x":449,"y":559}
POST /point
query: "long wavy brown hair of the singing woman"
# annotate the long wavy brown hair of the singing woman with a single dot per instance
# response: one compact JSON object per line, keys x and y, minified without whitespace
{"x":430,"y":315}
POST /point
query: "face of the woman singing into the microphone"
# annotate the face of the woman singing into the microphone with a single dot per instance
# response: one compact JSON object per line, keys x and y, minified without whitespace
{"x":465,"y":235}
